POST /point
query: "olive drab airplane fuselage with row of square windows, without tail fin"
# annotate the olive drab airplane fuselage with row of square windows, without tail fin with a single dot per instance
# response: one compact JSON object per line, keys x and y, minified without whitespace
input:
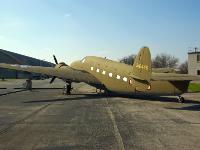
{"x":115,"y":77}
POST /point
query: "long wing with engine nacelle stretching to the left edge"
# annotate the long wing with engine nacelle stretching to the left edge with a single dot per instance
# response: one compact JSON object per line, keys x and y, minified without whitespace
{"x":64,"y":72}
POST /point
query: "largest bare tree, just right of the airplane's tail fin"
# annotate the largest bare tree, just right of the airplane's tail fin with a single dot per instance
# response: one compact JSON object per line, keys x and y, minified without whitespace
{"x":164,"y":61}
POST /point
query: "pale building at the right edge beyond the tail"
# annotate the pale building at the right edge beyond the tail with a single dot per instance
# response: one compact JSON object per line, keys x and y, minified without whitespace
{"x":194,"y":62}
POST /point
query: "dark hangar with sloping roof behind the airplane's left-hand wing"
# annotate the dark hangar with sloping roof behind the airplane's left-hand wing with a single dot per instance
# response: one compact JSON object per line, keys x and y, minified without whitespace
{"x":14,"y":58}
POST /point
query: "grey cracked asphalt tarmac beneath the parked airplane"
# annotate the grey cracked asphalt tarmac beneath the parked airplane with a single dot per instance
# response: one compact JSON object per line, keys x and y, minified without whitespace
{"x":44,"y":119}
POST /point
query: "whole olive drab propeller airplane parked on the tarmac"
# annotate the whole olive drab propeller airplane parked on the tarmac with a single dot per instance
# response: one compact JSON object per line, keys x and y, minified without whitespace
{"x":116,"y":77}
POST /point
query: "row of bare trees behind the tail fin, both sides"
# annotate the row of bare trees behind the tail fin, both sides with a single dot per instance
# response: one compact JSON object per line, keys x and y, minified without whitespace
{"x":160,"y":61}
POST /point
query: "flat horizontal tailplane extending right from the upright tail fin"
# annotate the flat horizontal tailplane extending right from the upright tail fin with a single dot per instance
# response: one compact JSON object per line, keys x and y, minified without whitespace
{"x":173,"y":77}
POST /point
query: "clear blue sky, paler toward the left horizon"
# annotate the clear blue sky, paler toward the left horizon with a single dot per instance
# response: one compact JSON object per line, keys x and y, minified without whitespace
{"x":72,"y":29}
